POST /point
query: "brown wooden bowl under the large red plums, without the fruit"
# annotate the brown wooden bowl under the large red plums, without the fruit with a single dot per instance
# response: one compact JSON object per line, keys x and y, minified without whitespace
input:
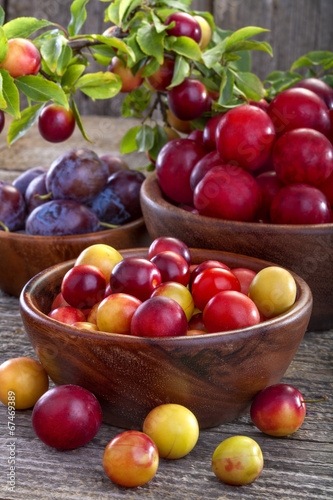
{"x":305,"y":249}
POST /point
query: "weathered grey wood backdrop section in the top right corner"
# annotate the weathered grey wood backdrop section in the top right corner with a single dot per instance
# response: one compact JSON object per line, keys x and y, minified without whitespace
{"x":296,"y":27}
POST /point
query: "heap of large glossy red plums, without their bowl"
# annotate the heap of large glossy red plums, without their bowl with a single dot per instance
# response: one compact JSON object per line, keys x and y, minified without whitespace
{"x":262,"y":161}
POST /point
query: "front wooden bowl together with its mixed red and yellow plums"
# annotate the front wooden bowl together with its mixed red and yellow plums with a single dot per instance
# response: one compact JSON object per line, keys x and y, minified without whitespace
{"x":166,"y":324}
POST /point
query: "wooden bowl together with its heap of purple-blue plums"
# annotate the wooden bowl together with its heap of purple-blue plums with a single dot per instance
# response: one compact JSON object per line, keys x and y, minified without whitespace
{"x":49,"y":215}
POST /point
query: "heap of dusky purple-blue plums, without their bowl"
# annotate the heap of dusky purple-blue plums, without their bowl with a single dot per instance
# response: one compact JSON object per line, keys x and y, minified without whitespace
{"x":79,"y":193}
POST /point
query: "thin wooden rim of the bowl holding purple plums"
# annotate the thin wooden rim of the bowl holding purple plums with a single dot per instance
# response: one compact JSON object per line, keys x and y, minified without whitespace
{"x":17,"y":236}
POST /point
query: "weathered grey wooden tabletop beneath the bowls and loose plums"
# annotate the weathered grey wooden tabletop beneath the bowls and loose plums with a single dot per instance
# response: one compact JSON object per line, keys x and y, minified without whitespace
{"x":296,"y":467}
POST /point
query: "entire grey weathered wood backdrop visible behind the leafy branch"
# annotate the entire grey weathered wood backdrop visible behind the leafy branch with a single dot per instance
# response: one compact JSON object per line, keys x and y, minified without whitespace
{"x":296,"y":27}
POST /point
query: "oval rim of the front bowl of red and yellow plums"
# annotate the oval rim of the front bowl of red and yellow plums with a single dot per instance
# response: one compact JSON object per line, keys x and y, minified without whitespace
{"x":303,"y":298}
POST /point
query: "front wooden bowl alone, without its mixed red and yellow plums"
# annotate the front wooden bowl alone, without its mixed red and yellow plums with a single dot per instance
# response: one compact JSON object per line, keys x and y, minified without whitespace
{"x":214,"y":375}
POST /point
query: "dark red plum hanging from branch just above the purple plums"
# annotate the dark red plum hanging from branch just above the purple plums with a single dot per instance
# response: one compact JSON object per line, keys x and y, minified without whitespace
{"x":56,"y":123}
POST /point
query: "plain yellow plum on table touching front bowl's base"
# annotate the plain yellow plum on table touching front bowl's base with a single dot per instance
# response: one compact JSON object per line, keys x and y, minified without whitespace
{"x":173,"y":428}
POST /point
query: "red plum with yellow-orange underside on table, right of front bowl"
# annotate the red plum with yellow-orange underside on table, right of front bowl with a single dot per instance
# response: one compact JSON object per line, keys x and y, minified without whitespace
{"x":278,"y":410}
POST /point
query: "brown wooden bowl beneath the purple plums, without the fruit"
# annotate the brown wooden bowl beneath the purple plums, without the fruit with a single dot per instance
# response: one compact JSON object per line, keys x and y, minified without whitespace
{"x":23,"y":255}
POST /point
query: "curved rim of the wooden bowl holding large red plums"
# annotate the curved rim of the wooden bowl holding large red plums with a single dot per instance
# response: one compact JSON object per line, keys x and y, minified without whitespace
{"x":151,"y":185}
